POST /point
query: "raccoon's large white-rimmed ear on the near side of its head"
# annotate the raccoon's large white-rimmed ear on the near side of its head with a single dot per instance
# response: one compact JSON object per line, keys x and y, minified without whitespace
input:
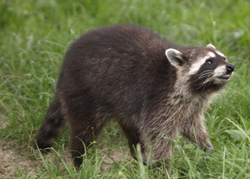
{"x":175,"y":57}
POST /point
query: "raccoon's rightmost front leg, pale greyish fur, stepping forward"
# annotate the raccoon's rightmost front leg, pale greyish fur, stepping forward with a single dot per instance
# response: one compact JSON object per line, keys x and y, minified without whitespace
{"x":196,"y":132}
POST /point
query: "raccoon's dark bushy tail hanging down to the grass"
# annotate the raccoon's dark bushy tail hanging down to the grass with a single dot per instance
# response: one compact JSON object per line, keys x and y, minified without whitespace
{"x":51,"y":127}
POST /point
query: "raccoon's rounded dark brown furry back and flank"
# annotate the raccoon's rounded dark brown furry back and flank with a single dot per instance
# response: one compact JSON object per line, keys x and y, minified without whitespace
{"x":121,"y":64}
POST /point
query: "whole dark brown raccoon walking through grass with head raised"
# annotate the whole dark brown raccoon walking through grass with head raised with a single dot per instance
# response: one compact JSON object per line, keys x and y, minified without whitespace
{"x":155,"y":89}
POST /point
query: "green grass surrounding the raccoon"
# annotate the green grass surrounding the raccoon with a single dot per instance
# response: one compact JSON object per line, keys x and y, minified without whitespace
{"x":34,"y":35}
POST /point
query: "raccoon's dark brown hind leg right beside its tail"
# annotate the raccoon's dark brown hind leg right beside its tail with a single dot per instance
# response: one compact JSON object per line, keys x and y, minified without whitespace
{"x":85,"y":127}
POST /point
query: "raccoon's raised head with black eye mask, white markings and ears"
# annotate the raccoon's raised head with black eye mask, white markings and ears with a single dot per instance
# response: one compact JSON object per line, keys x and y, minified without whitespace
{"x":202,"y":69}
